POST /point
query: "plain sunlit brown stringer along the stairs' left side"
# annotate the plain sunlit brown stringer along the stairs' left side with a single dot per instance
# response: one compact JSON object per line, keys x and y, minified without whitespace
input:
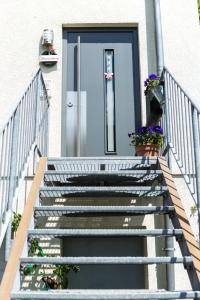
{"x":21,"y":235}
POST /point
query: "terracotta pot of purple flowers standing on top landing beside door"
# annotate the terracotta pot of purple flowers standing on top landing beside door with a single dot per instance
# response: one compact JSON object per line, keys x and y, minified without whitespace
{"x":147,"y":140}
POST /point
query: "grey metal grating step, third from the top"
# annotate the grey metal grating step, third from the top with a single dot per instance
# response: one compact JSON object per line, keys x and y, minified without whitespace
{"x":103,"y":190}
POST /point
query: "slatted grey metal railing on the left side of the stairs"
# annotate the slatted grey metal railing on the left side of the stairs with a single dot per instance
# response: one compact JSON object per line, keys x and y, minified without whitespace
{"x":26,"y":128}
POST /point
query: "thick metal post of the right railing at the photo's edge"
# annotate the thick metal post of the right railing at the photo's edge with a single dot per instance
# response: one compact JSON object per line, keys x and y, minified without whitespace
{"x":196,"y":137}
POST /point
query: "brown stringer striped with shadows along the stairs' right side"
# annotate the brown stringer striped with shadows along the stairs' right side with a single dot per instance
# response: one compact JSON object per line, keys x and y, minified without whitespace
{"x":182,"y":217}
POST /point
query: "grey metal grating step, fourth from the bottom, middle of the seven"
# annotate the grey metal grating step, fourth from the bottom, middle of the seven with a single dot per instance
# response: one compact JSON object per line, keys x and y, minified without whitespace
{"x":51,"y":211}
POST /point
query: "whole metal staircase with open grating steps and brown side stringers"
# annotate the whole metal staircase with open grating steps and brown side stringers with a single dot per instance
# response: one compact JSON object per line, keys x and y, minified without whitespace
{"x":90,"y":190}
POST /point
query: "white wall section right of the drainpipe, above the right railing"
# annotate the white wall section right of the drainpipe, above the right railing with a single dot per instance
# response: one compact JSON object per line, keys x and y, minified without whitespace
{"x":181,"y":37}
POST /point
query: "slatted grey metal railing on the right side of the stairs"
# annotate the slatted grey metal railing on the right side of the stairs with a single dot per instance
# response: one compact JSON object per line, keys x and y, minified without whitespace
{"x":181,"y":122}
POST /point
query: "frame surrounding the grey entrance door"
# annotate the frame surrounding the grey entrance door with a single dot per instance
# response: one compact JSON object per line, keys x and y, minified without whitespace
{"x":136,"y":74}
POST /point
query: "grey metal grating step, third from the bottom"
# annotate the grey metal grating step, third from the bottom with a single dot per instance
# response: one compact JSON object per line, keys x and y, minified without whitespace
{"x":103,"y":232}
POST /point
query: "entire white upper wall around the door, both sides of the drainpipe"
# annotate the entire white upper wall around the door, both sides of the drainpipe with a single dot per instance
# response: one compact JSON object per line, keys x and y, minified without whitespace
{"x":22,"y":23}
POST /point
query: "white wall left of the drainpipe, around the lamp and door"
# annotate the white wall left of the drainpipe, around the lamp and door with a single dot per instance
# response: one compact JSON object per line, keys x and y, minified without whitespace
{"x":22,"y":23}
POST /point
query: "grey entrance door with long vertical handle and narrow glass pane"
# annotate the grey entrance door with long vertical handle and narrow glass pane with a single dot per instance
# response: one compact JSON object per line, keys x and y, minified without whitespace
{"x":101,"y":99}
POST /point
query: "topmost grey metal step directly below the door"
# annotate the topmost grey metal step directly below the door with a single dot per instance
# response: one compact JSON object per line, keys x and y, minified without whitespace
{"x":99,"y":163}
